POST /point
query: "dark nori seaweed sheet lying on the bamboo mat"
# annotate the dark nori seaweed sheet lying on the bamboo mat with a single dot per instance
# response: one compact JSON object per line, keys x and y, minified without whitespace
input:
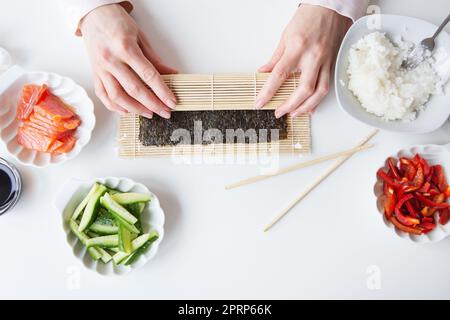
{"x":206,"y":127}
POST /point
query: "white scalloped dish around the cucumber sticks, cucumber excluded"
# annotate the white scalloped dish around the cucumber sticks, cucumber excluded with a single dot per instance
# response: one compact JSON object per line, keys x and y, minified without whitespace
{"x":152,"y":219}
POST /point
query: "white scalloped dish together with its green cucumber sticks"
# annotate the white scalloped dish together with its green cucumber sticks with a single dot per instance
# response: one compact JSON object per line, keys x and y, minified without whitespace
{"x":113,"y":225}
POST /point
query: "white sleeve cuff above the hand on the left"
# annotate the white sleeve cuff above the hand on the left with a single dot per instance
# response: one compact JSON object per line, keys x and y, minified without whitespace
{"x":76,"y":10}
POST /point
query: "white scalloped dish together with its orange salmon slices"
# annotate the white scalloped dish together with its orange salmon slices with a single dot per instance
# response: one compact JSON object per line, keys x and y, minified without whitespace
{"x":45,"y":118}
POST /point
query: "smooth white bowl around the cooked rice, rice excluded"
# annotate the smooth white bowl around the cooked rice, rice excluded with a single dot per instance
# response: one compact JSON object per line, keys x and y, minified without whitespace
{"x":437,"y":109}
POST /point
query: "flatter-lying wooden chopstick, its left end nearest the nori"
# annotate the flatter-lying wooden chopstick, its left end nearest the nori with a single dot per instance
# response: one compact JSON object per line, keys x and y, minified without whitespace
{"x":298,"y":166}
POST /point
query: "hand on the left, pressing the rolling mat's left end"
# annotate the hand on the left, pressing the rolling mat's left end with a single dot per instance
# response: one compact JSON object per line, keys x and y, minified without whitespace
{"x":124,"y":63}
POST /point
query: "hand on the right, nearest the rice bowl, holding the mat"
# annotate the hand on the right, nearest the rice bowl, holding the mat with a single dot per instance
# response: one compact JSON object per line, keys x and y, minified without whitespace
{"x":309,"y":45}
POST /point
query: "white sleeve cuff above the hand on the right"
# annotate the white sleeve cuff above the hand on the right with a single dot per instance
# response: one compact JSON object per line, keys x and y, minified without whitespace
{"x":354,"y":9}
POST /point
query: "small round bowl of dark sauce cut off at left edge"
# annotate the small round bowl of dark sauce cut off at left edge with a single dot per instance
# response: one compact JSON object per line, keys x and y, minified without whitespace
{"x":8,"y":171}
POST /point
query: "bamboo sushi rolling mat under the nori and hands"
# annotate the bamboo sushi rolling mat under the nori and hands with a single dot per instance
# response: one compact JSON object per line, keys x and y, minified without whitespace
{"x":212,"y":92}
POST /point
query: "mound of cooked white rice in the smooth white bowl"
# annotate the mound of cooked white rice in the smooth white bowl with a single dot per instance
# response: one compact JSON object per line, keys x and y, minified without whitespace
{"x":382,"y":86}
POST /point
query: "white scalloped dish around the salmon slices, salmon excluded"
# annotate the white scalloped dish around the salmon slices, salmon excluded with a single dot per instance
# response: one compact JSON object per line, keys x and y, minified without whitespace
{"x":11,"y":83}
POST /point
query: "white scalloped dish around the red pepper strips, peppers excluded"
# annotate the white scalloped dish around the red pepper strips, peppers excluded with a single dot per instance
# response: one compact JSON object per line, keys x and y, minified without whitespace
{"x":434,"y":154}
